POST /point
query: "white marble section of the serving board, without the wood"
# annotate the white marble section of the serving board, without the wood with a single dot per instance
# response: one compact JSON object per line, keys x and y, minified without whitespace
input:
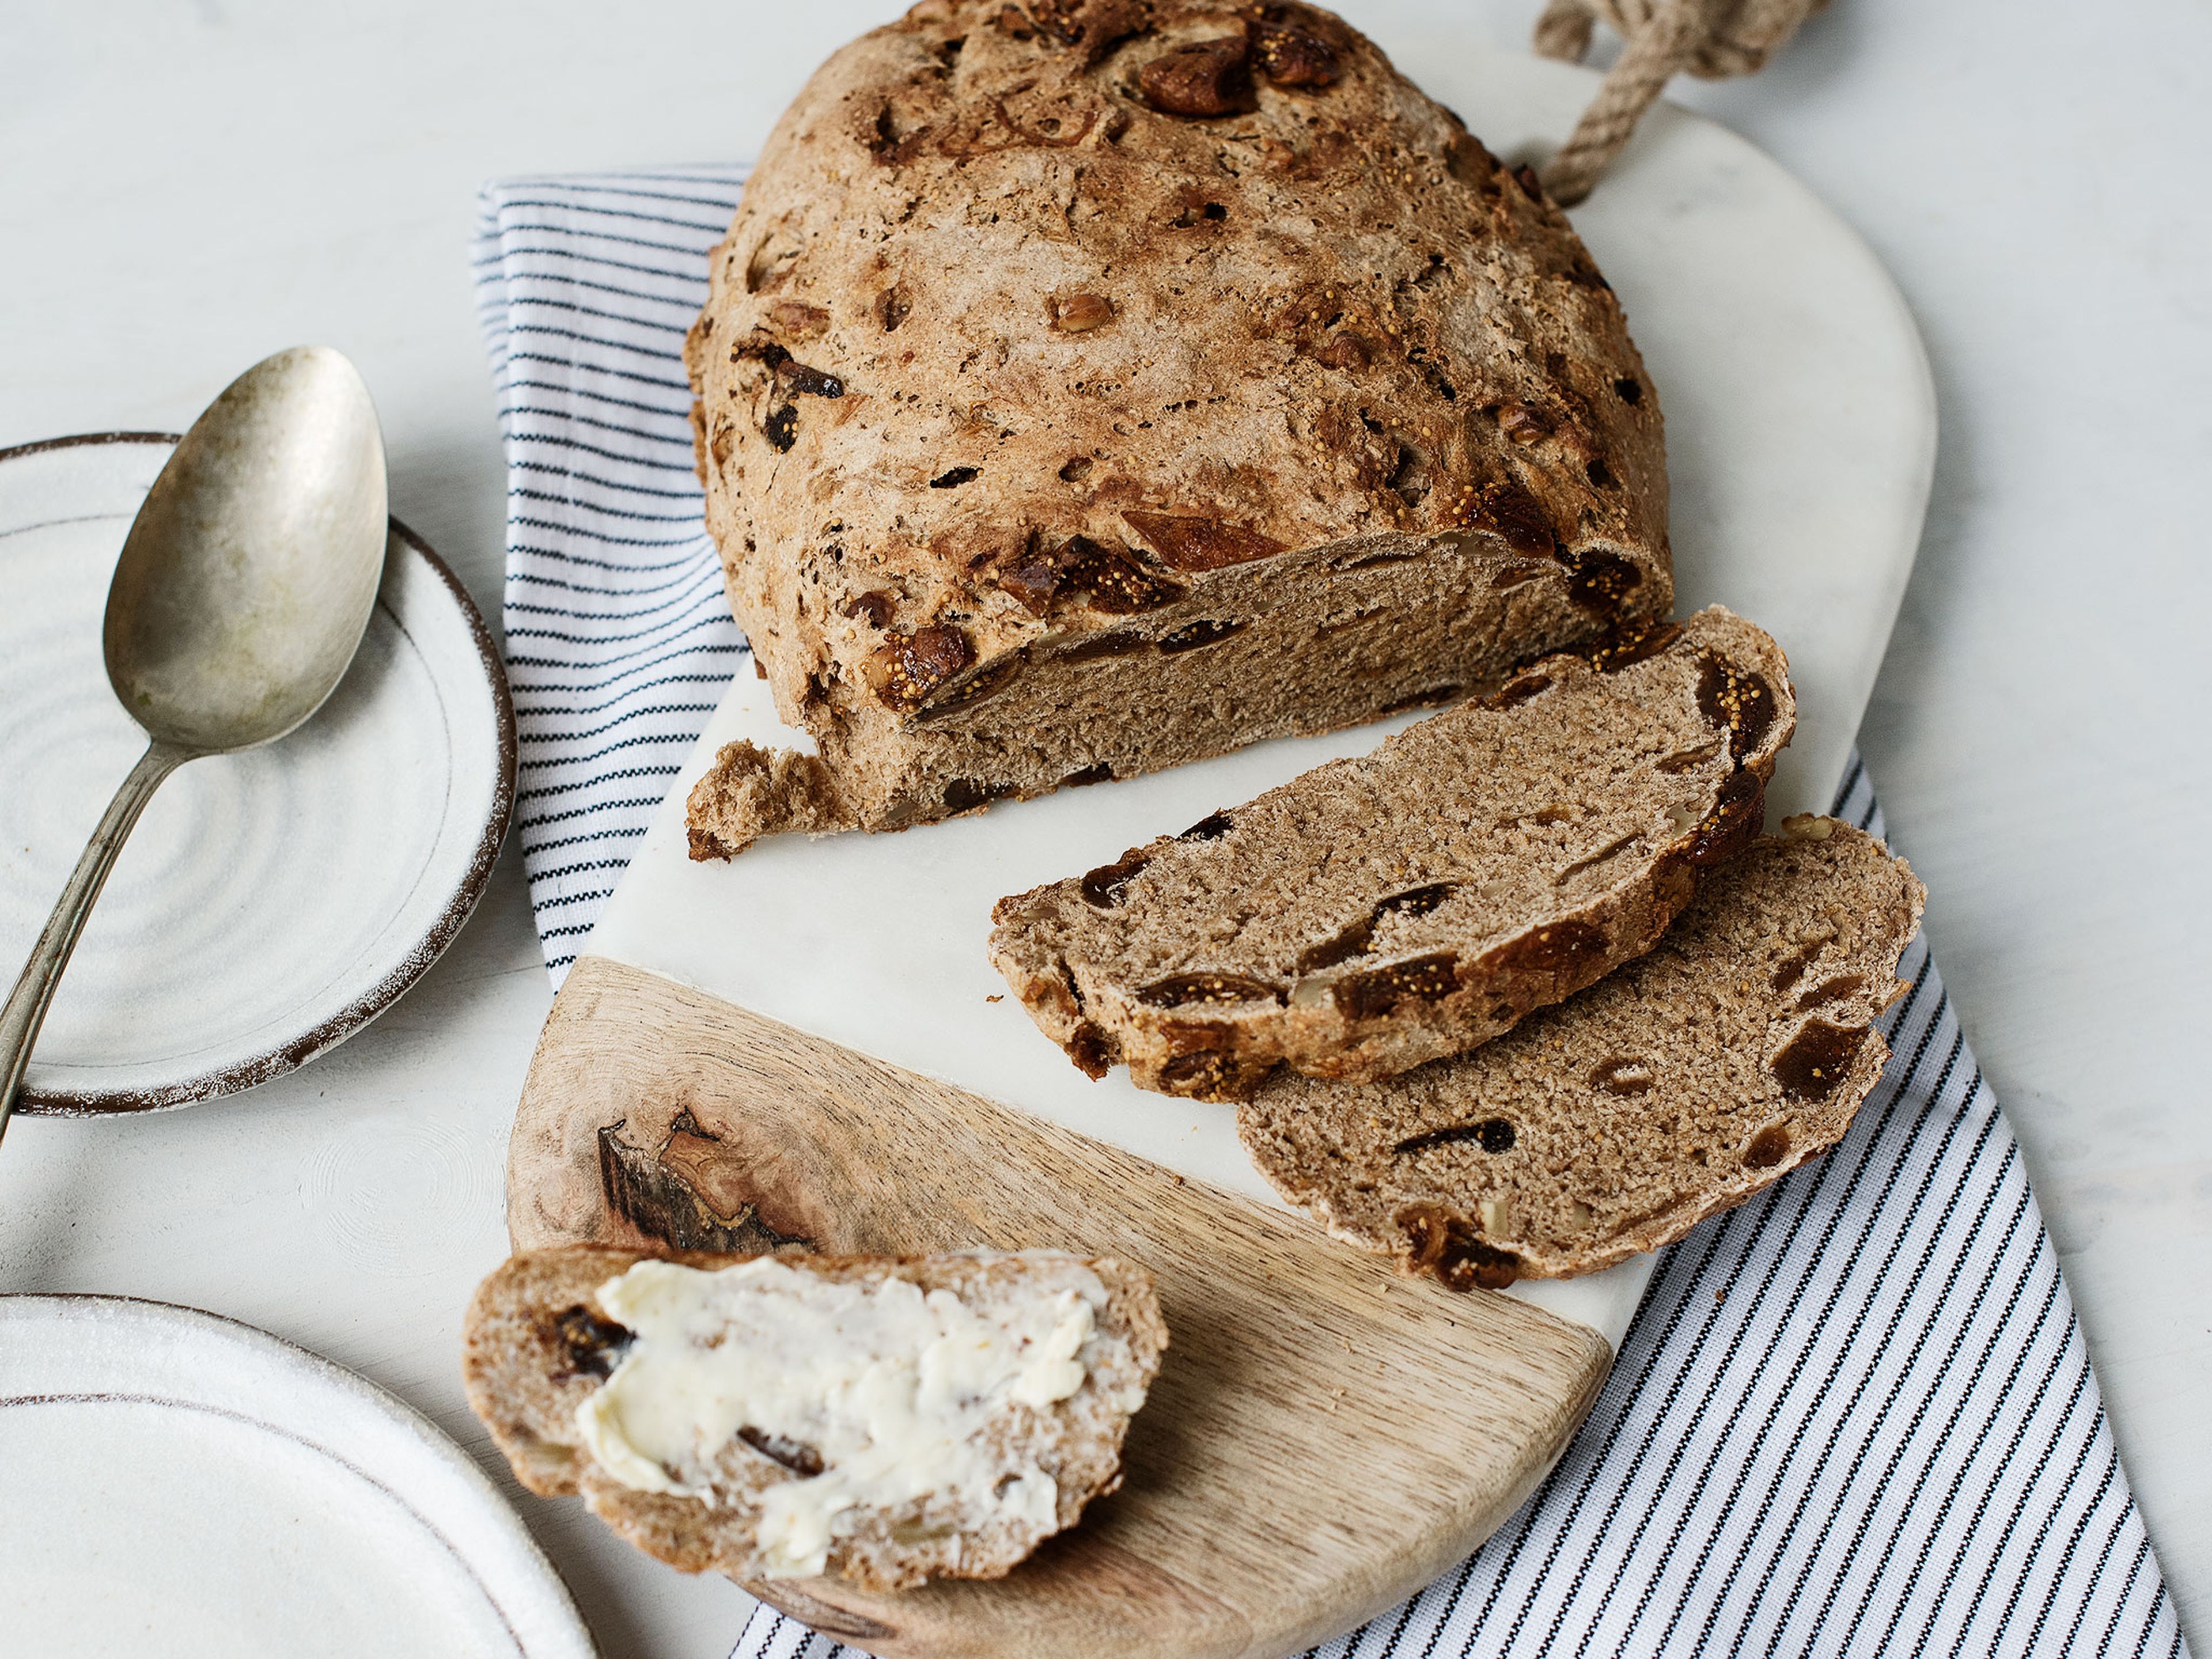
{"x":1802,"y":439}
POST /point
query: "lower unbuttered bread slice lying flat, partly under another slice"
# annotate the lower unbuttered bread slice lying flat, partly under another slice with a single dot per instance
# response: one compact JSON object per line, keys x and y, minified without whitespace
{"x":1616,"y":1123}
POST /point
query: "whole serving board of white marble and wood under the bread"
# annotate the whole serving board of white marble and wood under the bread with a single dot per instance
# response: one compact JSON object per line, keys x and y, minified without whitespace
{"x":808,"y":1043}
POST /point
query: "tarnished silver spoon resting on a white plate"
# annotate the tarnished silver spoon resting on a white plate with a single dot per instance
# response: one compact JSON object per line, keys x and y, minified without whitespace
{"x":238,"y":605}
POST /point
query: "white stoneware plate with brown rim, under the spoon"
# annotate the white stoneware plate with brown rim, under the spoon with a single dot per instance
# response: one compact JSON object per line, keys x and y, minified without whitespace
{"x":269,"y":904}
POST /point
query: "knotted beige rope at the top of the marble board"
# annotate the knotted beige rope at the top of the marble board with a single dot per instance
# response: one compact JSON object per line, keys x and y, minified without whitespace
{"x":1711,"y":39}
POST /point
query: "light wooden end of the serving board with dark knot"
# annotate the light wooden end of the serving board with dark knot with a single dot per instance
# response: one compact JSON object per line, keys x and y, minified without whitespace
{"x":1322,"y":1441}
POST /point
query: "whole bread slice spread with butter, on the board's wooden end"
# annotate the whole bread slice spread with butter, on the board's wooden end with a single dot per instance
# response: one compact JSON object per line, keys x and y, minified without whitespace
{"x":545,"y":1355}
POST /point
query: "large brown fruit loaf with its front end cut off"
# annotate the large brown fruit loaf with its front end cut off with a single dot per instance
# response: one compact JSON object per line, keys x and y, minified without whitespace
{"x":1098,"y":386}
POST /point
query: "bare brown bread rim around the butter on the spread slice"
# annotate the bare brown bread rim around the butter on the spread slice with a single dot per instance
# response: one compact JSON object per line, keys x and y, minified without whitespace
{"x":528,"y":1373}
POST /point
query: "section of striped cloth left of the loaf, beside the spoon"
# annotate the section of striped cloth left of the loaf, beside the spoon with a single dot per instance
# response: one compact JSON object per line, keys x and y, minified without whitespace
{"x":618,"y":634}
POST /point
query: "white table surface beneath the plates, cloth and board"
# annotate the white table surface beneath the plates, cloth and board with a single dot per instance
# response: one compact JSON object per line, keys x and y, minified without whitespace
{"x":191,"y":187}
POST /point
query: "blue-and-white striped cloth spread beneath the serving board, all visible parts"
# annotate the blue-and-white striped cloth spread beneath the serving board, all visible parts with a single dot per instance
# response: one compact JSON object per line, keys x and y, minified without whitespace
{"x":1853,"y":1417}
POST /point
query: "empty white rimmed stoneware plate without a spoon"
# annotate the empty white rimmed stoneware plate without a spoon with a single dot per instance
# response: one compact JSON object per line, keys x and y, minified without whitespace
{"x":187,"y":1485}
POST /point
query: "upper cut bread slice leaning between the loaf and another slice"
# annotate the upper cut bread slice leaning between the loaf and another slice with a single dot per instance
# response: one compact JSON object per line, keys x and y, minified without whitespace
{"x":1379,"y":912}
